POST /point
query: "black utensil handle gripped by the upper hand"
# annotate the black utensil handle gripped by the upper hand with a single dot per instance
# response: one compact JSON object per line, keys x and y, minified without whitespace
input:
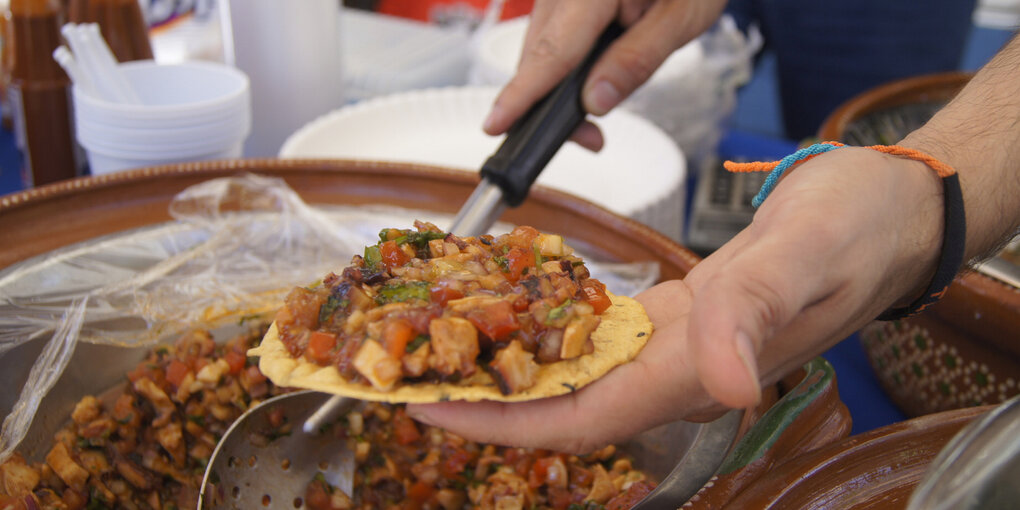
{"x":534,"y":140}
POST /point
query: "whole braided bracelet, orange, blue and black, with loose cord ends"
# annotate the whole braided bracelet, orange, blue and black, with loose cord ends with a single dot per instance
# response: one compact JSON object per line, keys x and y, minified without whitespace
{"x":954,"y":235}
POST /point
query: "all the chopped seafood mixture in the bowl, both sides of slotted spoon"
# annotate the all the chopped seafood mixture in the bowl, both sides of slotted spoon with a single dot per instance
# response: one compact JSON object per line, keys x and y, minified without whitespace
{"x":145,"y":446}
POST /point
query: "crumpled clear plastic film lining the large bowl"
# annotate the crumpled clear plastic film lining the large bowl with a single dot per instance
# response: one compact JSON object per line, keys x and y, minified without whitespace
{"x":236,"y":247}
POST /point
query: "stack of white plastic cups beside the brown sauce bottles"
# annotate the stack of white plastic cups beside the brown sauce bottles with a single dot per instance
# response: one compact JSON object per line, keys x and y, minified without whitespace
{"x":189,"y":112}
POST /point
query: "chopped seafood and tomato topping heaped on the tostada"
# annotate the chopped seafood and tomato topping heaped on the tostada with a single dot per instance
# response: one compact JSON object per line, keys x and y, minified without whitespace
{"x":425,"y":305}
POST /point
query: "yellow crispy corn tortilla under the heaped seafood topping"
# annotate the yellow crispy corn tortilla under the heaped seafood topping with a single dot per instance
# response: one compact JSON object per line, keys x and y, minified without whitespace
{"x":622,"y":334}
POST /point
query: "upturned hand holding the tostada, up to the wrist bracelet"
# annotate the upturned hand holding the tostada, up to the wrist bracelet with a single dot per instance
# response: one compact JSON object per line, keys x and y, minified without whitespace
{"x":842,"y":238}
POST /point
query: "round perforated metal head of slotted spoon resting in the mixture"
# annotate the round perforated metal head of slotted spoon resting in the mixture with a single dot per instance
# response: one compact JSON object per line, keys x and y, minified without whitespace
{"x":267,"y":458}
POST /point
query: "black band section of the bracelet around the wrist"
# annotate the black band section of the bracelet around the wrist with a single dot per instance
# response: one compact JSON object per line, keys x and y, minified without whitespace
{"x":951,"y":259}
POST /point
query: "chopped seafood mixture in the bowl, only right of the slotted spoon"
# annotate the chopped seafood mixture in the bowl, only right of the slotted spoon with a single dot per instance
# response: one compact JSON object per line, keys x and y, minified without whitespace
{"x":409,"y":466}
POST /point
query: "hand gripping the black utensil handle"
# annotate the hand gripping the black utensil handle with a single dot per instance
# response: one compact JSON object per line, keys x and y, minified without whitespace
{"x":562,"y":34}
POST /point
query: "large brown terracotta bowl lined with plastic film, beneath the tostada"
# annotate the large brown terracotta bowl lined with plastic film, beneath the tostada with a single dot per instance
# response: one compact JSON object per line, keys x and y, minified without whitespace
{"x":800,"y":415}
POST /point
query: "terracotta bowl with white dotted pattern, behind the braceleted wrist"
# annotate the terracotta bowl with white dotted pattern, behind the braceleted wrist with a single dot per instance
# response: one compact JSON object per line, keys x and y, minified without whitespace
{"x":963,"y":351}
